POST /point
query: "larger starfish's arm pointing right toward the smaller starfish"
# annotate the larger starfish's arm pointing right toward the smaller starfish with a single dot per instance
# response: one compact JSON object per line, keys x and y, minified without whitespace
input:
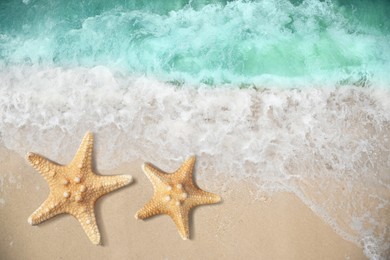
{"x":107,"y":184}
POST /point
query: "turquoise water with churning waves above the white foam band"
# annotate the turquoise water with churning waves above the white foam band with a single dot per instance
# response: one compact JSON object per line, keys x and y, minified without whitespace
{"x":212,"y":42}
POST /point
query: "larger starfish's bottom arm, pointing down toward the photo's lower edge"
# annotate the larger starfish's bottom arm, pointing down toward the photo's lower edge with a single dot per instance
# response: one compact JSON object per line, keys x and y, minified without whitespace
{"x":87,"y":219}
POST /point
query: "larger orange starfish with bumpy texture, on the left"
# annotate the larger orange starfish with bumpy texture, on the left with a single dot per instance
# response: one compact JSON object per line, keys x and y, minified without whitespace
{"x":74,"y":188}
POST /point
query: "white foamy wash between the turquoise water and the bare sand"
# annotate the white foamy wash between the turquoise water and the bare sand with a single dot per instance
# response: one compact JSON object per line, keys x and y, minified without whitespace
{"x":330,"y":146}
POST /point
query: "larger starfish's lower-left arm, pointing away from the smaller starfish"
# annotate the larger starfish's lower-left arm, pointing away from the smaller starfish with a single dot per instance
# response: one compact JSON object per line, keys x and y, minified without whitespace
{"x":47,"y":210}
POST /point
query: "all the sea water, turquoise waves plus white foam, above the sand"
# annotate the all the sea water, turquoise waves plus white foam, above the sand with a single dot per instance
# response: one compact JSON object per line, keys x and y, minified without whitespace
{"x":289,"y":95}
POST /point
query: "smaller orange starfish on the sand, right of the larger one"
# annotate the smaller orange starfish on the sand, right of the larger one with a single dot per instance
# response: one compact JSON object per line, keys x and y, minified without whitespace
{"x":175,"y":195}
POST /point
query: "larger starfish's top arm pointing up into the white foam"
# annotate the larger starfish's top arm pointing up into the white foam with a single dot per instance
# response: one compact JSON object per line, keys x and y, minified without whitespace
{"x":83,"y":157}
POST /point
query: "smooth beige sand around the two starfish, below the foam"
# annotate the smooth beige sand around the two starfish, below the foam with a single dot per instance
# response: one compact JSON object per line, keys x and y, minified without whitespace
{"x":277,"y":227}
